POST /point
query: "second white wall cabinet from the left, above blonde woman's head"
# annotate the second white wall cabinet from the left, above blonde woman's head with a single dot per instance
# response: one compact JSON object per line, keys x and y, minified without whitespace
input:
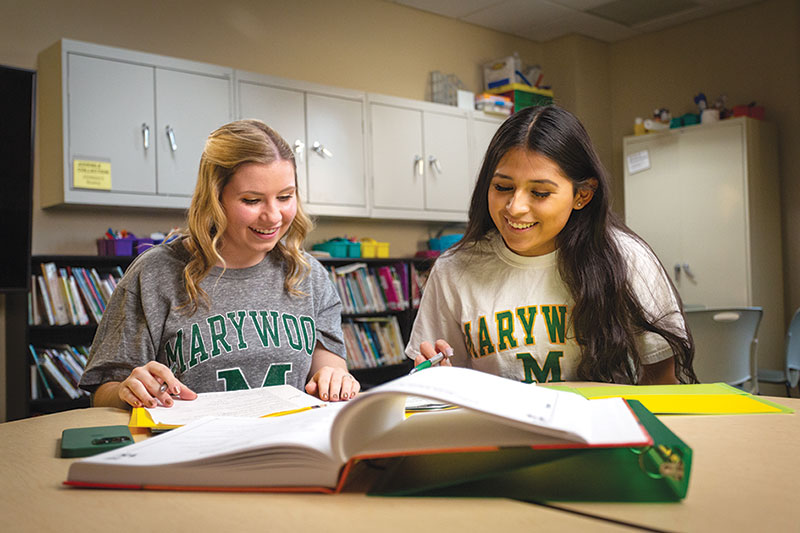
{"x":325,"y":127}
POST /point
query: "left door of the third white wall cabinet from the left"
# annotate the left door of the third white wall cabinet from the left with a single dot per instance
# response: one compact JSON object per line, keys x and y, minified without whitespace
{"x":398,"y":167}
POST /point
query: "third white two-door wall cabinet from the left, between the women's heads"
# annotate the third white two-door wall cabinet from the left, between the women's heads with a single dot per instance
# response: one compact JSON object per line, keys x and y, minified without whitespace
{"x":419,"y":159}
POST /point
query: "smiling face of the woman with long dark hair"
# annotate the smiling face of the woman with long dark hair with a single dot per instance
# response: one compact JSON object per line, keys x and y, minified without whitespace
{"x":530,"y":201}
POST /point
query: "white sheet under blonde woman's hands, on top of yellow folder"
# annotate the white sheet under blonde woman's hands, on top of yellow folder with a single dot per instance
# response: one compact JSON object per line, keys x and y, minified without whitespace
{"x":244,"y":403}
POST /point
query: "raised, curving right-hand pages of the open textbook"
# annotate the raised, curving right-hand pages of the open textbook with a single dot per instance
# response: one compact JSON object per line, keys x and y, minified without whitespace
{"x":563,"y":415}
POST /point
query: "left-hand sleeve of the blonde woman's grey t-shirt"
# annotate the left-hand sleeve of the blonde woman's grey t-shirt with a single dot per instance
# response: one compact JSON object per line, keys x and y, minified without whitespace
{"x":122,"y":341}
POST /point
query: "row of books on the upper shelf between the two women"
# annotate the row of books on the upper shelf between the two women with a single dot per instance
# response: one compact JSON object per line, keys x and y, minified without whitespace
{"x":375,"y":289}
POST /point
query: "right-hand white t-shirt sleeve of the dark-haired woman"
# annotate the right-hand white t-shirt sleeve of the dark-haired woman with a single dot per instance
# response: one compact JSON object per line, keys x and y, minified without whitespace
{"x":655,"y":293}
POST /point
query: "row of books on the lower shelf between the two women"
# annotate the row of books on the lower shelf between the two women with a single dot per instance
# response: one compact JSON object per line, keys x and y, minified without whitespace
{"x":373,"y":342}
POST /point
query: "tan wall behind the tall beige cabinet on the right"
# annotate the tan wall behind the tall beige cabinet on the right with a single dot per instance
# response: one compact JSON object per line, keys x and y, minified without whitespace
{"x":750,"y":54}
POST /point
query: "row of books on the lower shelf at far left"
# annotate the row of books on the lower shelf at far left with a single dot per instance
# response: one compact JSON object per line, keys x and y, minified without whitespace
{"x":56,"y":371}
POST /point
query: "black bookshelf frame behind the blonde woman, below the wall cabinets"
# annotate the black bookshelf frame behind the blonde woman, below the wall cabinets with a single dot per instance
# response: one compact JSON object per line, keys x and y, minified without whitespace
{"x":19,"y":335}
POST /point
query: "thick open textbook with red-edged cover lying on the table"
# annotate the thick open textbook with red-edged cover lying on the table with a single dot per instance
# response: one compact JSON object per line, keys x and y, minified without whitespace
{"x":316,"y":448}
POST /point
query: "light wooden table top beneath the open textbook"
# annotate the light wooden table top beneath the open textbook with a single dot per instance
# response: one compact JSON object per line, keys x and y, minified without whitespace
{"x":744,"y":477}
